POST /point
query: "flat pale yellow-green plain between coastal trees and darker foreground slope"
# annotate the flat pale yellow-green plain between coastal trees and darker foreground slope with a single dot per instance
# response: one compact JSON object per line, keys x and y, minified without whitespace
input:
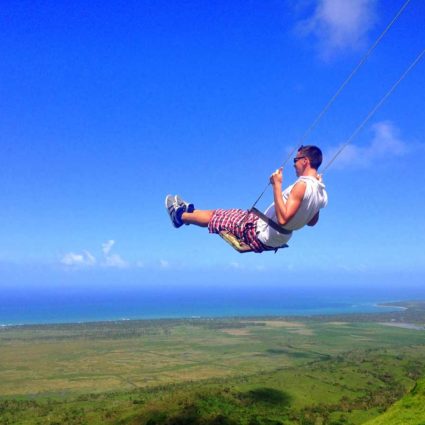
{"x":59,"y":359}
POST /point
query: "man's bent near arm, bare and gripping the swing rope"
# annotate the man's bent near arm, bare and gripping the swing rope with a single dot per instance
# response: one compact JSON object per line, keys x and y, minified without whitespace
{"x":286,"y":210}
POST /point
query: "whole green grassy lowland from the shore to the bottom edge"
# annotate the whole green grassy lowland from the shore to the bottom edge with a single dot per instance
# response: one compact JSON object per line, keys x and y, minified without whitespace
{"x":327,"y":370}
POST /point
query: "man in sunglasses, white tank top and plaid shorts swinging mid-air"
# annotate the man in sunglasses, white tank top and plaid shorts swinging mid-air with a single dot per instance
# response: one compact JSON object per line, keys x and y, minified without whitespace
{"x":298,"y":205}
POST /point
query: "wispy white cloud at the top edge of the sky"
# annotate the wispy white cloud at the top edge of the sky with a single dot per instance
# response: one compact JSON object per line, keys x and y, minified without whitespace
{"x":339,"y":25}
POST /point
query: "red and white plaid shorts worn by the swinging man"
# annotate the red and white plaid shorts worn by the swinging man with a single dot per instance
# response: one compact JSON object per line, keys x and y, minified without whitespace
{"x":239,"y":222}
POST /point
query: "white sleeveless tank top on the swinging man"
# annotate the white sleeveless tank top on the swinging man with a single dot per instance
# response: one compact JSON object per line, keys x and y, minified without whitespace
{"x":315,"y":198}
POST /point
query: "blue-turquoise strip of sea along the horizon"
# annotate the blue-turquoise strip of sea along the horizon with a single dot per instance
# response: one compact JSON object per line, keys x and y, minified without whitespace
{"x":30,"y":306}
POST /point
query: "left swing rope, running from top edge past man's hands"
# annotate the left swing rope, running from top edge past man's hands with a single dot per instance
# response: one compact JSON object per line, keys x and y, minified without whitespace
{"x":325,"y":109}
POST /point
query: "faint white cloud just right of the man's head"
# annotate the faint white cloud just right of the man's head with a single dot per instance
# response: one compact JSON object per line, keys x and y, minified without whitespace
{"x":385,"y":144}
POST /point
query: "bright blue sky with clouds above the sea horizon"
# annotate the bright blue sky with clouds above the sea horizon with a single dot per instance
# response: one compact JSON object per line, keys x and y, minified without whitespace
{"x":108,"y":106}
